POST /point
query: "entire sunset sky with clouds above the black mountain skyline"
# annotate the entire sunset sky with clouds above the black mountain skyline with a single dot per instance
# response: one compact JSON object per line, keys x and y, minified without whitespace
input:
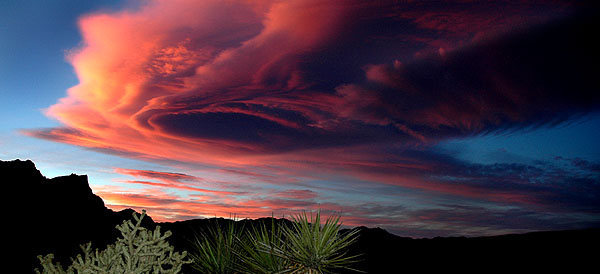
{"x":426,"y":118}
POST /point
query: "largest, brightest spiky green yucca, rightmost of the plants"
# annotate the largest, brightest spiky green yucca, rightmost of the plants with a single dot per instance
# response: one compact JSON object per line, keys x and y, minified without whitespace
{"x":315,"y":248}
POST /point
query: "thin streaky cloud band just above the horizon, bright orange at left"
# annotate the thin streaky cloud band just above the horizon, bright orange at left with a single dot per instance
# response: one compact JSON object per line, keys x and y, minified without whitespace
{"x":442,"y":219}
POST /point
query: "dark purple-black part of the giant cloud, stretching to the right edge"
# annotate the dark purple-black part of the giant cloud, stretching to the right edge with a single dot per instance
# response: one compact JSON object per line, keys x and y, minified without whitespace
{"x":540,"y":76}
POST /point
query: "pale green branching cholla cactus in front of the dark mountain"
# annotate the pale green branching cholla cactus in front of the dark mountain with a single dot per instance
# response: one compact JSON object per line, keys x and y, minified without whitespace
{"x":137,"y":251}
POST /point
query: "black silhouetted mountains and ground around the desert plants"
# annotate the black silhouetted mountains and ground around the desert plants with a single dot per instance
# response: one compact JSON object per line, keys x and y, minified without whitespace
{"x":57,"y":215}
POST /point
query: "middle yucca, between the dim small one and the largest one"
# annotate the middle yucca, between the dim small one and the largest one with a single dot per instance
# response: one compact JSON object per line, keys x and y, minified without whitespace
{"x":260,"y":247}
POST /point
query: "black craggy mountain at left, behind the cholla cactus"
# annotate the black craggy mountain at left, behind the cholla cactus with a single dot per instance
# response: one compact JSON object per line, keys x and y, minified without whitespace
{"x":57,"y":215}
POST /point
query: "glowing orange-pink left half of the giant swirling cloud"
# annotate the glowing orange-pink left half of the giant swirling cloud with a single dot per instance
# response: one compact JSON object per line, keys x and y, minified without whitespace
{"x":190,"y":74}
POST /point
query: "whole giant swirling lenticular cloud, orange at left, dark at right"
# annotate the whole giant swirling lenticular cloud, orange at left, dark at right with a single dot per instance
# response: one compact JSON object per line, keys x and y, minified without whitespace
{"x":226,"y":81}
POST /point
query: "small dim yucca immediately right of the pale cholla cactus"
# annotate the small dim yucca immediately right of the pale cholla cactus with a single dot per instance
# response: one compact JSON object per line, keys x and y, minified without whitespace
{"x":217,"y":250}
